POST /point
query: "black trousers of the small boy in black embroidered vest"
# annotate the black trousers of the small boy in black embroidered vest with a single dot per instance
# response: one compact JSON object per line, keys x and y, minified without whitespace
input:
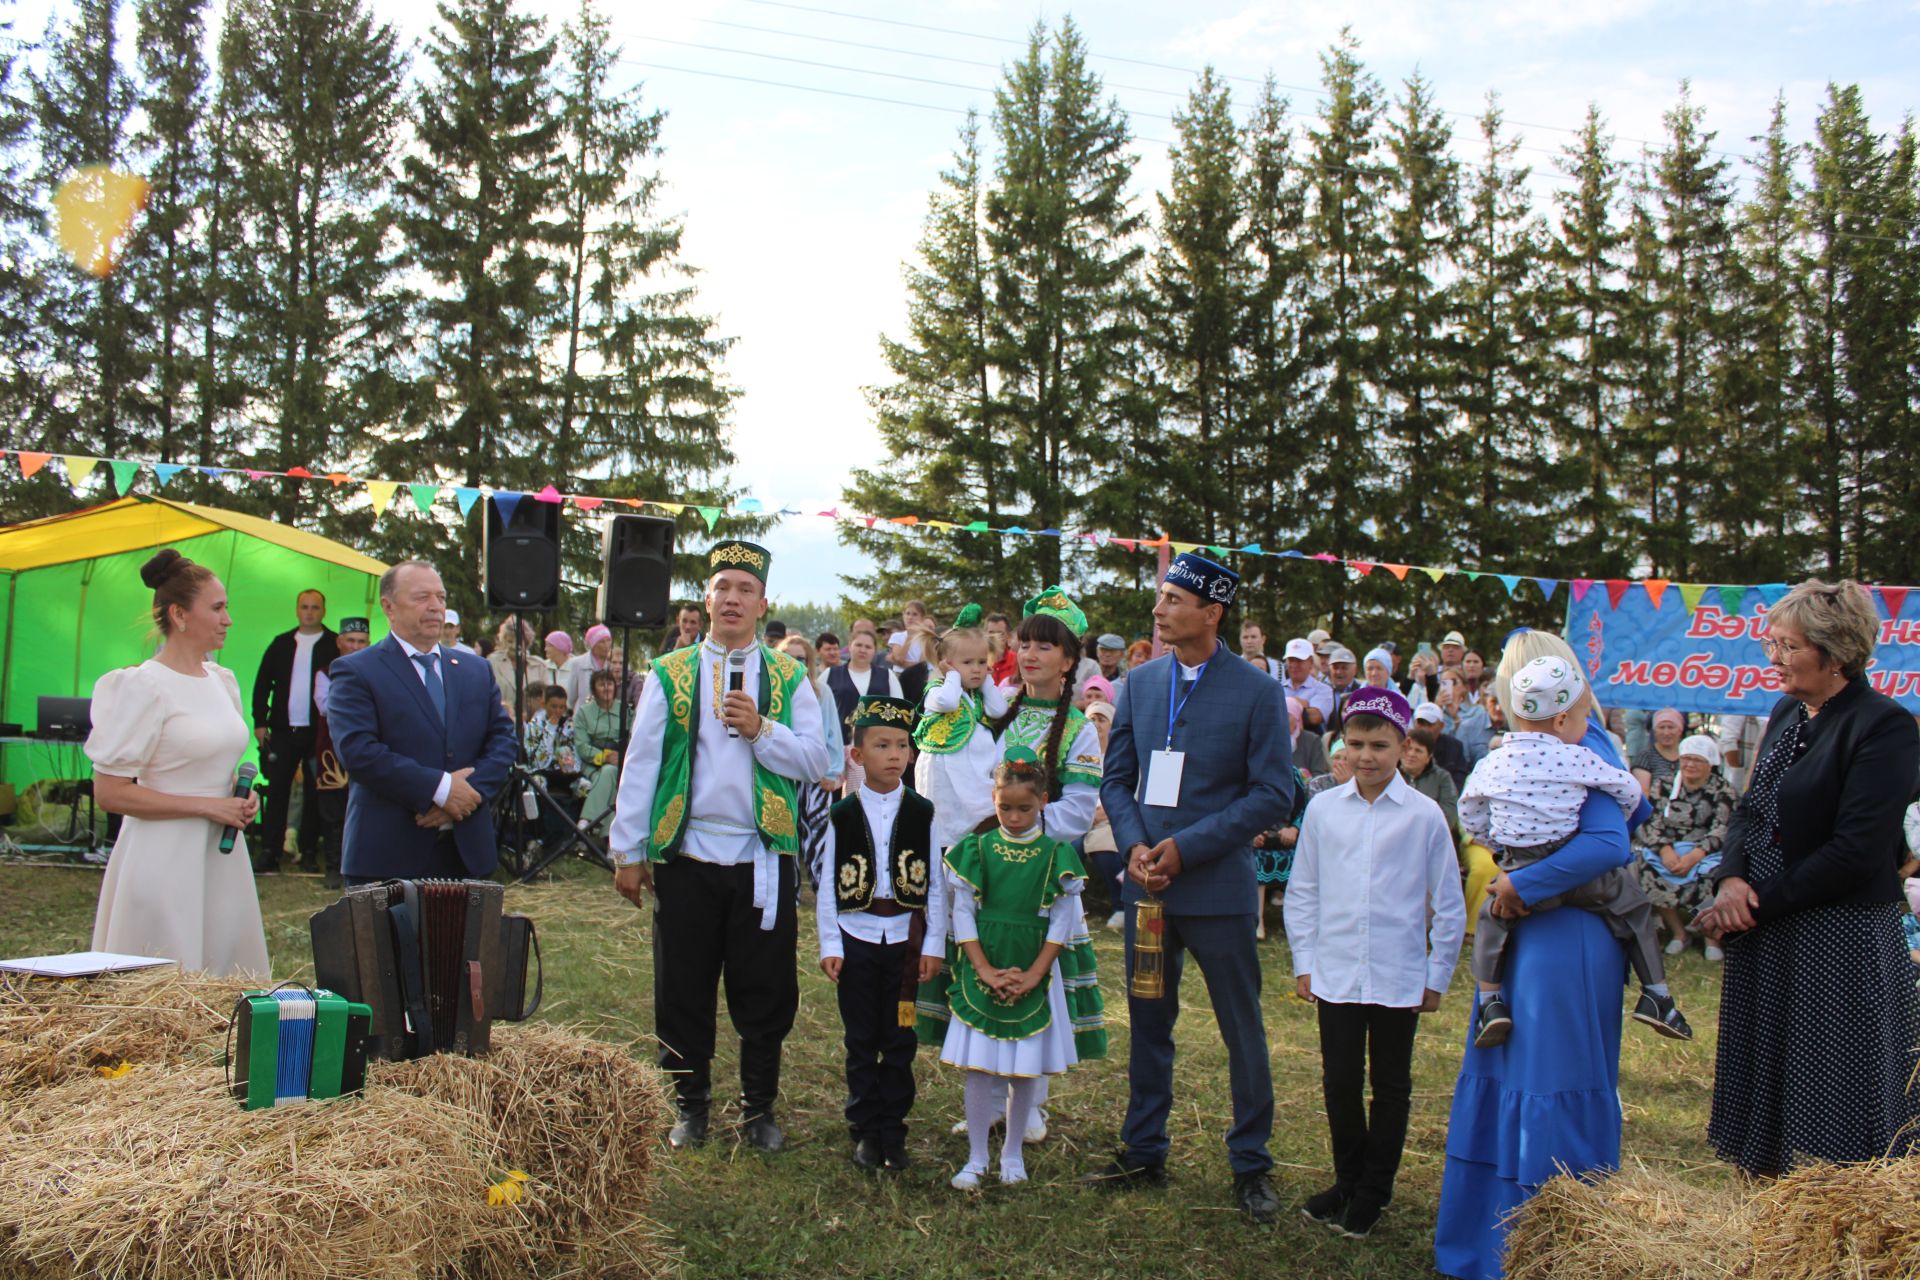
{"x":880,"y":1053}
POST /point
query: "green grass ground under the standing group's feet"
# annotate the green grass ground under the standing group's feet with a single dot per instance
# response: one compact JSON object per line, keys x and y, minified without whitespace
{"x":809,"y":1214}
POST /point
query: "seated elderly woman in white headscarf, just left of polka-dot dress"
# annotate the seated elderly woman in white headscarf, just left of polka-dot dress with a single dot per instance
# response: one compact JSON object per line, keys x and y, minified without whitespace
{"x":1681,"y":845}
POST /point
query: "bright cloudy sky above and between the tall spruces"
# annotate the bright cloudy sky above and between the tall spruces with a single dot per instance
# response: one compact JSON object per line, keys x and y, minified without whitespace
{"x":804,"y":139}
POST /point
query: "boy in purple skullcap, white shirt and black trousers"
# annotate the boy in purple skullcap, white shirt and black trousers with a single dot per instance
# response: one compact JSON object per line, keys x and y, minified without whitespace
{"x":1376,"y":924}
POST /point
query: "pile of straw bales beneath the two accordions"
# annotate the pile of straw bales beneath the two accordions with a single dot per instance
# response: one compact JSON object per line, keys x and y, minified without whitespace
{"x":160,"y":1175}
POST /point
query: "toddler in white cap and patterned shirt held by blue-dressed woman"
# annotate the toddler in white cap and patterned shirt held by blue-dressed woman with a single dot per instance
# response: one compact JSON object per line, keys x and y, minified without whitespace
{"x":1524,"y":801}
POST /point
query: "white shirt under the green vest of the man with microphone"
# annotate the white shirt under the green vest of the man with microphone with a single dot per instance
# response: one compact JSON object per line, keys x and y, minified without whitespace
{"x":721,"y":824}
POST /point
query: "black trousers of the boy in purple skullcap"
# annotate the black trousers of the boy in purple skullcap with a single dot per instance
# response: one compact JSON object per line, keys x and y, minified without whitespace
{"x":1360,"y":1041}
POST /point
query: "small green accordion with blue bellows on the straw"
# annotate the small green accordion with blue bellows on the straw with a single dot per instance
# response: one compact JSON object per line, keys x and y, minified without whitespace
{"x":297,"y":1045}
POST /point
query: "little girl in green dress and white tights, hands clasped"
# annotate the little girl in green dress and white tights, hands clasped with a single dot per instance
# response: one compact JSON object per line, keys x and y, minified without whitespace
{"x":1026,"y":993}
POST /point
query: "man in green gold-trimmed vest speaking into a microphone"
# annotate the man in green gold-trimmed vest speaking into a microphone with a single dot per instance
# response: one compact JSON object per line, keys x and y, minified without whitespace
{"x":708,"y":820}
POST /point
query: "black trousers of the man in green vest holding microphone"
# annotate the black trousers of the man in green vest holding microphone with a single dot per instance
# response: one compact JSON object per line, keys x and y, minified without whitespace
{"x":708,"y":932}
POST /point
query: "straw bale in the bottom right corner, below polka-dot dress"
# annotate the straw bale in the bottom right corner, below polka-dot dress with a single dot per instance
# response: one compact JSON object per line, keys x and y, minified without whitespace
{"x":1860,"y":1221}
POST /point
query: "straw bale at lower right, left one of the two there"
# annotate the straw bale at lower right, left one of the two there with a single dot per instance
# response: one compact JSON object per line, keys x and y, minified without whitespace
{"x":1625,"y":1227}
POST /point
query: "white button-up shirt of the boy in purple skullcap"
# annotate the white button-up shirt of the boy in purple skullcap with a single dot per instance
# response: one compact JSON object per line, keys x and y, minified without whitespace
{"x":1358,"y":899}
